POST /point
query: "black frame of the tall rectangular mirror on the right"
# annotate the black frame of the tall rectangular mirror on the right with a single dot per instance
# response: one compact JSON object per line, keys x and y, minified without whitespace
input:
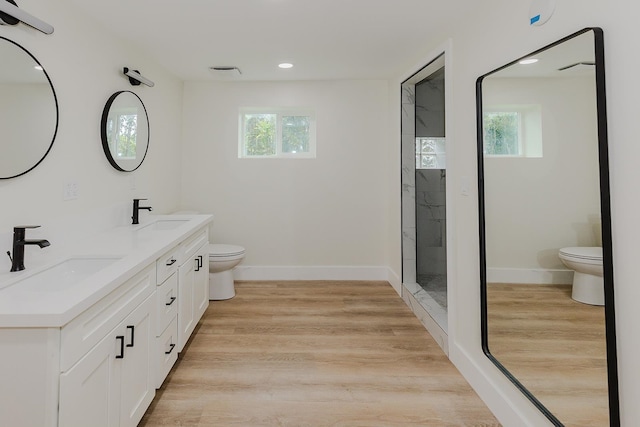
{"x":605,"y":208}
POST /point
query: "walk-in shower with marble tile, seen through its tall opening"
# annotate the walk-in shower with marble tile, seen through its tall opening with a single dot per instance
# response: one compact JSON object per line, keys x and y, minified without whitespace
{"x":424,"y":192}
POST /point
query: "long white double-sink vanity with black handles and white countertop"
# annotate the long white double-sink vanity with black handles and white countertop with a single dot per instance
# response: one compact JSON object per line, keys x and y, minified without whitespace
{"x":87,"y":338}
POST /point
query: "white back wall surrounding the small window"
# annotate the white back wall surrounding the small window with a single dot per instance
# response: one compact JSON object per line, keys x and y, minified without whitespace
{"x":328,"y":211}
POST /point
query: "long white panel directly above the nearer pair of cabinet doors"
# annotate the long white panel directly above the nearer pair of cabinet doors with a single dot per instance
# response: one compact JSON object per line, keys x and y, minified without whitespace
{"x":89,"y":328}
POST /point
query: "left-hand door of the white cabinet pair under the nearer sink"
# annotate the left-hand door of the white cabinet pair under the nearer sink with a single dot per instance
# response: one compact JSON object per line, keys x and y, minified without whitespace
{"x":87,"y":393}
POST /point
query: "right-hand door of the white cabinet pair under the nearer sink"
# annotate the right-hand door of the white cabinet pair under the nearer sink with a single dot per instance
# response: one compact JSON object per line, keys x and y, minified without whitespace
{"x":137,"y":386}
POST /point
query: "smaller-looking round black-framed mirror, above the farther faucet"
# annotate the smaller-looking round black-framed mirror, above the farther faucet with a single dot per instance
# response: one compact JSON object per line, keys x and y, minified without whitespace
{"x":124,"y":131}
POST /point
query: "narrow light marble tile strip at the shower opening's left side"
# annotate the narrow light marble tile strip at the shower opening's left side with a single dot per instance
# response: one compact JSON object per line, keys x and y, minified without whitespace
{"x":408,"y":184}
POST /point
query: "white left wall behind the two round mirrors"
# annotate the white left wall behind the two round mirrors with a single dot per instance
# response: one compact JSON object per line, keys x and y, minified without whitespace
{"x":85,"y":64}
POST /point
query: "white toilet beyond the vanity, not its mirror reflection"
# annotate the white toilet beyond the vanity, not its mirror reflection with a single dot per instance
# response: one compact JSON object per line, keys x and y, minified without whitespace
{"x":222,"y":259}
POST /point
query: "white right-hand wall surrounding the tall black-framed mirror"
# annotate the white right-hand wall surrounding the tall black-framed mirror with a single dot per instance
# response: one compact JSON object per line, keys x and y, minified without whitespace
{"x":481,"y":43}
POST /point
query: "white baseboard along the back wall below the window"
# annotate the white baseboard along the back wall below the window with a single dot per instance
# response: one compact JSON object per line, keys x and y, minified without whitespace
{"x":260,"y":272}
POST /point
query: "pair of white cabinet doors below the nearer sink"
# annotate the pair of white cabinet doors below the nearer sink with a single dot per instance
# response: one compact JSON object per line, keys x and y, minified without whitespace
{"x":112,"y":385}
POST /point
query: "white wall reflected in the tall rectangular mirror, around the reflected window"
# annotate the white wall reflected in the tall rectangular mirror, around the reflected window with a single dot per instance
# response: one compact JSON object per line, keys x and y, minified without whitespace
{"x":549,"y":202}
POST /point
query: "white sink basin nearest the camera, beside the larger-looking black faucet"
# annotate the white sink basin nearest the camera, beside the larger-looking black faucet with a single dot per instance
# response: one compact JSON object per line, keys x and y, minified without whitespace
{"x":65,"y":274}
